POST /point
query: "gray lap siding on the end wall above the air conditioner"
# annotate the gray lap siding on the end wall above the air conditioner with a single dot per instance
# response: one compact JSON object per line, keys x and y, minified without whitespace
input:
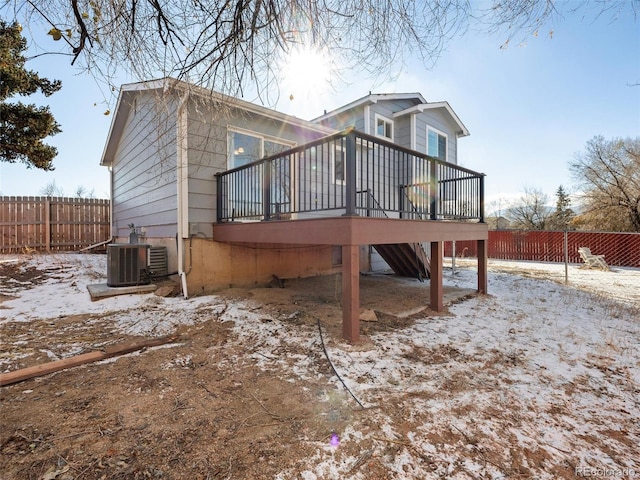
{"x":144,"y":189}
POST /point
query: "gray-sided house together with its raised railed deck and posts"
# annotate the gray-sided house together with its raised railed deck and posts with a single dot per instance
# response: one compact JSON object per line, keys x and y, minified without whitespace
{"x":239,"y":193}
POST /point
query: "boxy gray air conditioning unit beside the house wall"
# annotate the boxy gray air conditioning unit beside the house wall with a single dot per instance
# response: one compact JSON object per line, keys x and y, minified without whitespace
{"x":127,"y":264}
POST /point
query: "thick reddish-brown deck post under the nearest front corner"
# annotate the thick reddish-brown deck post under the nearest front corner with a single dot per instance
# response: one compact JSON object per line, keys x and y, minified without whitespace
{"x":351,"y":293}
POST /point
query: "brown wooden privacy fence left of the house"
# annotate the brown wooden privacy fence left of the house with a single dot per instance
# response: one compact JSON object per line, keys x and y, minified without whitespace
{"x":52,"y":223}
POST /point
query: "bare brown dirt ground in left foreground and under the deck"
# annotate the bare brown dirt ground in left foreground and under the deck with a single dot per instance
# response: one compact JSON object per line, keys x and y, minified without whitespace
{"x":197,"y":408}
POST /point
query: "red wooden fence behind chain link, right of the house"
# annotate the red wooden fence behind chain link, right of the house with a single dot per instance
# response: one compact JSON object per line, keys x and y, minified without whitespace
{"x":620,"y":249}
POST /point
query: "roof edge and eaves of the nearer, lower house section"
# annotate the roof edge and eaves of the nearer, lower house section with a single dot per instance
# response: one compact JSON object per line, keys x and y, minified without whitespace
{"x":129,"y":91}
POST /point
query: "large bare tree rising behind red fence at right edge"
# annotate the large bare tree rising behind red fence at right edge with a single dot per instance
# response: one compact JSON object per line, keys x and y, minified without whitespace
{"x":609,"y":174}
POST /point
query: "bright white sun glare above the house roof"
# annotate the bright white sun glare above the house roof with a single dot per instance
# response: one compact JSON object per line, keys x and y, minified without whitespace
{"x":306,"y":71}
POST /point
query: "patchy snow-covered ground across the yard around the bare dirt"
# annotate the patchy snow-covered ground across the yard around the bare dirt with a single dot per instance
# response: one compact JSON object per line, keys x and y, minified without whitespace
{"x":535,"y":380}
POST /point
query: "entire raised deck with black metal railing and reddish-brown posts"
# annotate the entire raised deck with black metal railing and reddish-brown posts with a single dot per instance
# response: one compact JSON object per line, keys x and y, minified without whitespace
{"x":351,"y":189}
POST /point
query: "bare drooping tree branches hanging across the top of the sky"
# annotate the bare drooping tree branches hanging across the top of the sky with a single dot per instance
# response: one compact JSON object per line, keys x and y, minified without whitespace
{"x":229,"y":44}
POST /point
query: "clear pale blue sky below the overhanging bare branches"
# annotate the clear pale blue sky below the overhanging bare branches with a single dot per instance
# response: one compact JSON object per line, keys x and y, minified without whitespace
{"x":529,"y":107}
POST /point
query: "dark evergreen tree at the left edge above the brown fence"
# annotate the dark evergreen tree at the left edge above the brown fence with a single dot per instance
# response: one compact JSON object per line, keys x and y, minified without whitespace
{"x":23,"y":127}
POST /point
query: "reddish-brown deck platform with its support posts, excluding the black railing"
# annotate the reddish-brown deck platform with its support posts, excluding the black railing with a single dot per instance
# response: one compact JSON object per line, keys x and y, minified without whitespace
{"x":350,"y":232}
